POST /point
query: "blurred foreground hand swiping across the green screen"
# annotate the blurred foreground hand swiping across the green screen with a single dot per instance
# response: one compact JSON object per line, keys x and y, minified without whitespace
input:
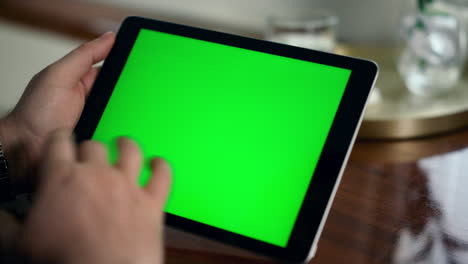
{"x":88,"y":211}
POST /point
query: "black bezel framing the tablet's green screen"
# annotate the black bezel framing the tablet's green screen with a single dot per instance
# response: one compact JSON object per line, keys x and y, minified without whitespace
{"x":333,"y":156}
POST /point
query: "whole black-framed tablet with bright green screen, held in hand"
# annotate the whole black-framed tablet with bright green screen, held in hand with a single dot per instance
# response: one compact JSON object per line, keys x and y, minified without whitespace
{"x":257,"y":133}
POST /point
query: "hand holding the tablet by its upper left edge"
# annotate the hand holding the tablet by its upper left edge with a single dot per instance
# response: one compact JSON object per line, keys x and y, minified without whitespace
{"x":54,"y":99}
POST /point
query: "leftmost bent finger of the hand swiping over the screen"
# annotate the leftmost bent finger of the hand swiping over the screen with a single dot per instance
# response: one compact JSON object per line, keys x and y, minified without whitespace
{"x":60,"y":147}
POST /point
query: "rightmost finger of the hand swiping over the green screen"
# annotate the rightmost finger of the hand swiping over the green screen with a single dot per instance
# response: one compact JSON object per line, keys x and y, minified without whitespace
{"x":160,"y":182}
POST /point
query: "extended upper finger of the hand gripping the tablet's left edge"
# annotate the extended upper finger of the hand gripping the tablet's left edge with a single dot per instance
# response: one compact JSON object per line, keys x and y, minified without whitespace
{"x":79,"y":62}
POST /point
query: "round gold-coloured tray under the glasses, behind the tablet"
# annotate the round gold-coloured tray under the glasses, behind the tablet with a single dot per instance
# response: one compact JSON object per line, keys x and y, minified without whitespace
{"x":394,"y":113}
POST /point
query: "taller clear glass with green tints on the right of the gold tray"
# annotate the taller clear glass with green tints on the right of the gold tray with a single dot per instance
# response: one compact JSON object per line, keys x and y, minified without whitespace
{"x":432,"y":61}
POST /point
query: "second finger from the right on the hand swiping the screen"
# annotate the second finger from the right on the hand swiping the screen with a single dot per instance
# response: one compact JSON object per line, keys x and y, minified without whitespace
{"x":130,"y":158}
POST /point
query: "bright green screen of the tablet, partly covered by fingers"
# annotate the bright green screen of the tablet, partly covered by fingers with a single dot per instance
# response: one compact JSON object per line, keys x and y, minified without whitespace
{"x":243,"y":130}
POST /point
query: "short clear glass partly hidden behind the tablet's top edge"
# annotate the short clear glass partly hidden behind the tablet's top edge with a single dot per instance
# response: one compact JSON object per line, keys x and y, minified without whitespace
{"x":315,"y":31}
